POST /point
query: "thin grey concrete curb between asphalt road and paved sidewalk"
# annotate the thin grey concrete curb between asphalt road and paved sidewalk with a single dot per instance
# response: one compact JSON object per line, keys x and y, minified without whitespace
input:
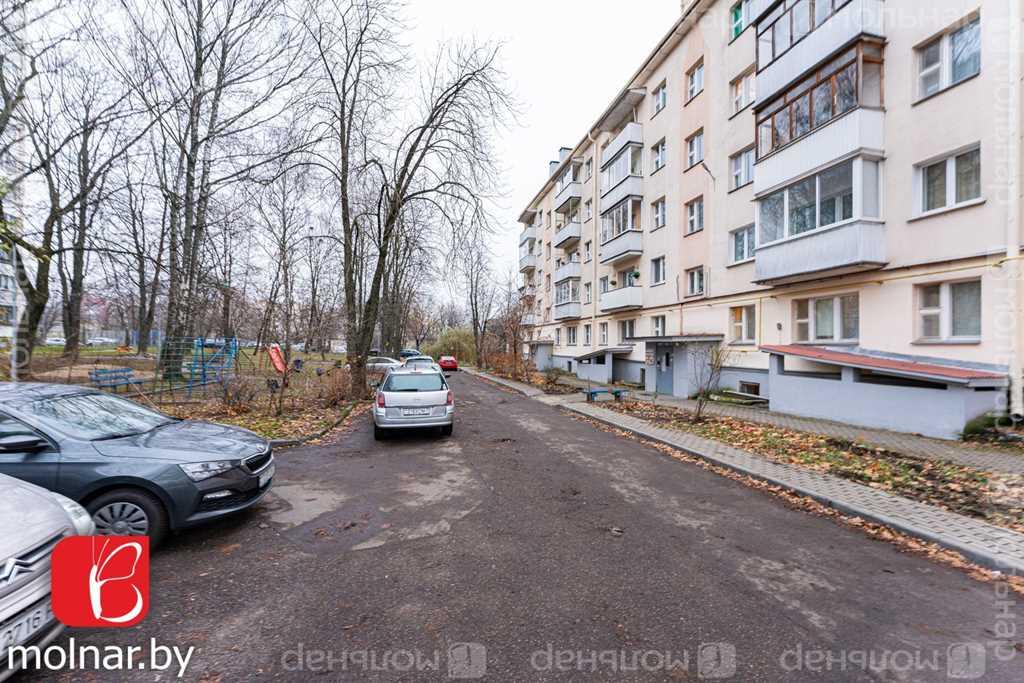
{"x":988,"y":560}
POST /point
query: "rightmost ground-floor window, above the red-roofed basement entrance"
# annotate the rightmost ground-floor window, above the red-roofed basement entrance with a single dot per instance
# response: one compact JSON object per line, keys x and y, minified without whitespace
{"x":950,"y":312}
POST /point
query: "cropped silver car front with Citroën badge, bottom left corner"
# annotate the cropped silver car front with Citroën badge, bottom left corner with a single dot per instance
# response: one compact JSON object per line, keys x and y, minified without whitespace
{"x":33,"y":521}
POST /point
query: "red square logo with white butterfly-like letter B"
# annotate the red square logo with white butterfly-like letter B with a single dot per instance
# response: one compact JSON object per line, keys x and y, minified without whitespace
{"x":101,"y":581}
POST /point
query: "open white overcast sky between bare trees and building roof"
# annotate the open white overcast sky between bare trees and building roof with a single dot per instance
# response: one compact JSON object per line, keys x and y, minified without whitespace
{"x":547,"y":44}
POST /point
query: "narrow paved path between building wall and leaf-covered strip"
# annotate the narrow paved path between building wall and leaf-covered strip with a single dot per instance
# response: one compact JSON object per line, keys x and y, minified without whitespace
{"x":988,"y":459}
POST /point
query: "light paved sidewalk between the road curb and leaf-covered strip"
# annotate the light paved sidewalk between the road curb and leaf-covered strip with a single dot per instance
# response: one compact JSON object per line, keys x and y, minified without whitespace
{"x":986,"y":544}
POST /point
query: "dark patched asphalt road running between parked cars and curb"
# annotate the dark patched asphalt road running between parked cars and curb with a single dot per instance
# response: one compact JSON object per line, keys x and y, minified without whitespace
{"x":557,"y":551}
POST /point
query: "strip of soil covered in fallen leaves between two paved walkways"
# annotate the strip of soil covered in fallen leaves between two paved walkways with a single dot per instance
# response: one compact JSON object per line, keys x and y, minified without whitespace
{"x":996,"y":498}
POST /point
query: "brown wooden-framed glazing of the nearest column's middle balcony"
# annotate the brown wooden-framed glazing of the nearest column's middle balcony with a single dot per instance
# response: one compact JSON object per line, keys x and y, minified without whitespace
{"x":826,"y":95}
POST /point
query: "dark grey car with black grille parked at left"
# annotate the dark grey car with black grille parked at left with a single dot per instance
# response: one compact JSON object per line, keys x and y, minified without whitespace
{"x":136,"y":471}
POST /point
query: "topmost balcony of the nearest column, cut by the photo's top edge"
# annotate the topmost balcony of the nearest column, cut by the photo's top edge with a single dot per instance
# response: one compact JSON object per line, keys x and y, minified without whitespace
{"x":793,"y":41}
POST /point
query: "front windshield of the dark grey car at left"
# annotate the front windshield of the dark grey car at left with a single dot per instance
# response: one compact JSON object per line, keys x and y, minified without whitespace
{"x":95,"y":416}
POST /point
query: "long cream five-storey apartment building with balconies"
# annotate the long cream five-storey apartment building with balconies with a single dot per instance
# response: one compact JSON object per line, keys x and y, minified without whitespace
{"x":829,"y":191}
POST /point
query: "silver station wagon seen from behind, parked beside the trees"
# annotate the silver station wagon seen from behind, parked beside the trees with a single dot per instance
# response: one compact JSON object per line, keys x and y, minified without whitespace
{"x":414,"y":399}
